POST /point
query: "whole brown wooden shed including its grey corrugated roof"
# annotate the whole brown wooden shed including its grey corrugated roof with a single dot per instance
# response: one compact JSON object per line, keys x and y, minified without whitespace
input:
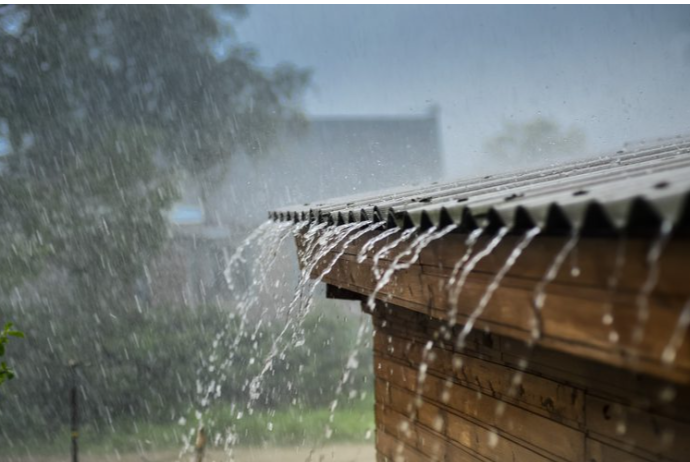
{"x":538,"y":316}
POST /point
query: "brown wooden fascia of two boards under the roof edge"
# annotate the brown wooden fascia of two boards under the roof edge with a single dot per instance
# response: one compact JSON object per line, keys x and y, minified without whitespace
{"x":578,"y":300}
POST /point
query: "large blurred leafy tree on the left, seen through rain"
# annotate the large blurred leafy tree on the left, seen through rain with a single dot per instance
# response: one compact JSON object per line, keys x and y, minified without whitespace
{"x":100,"y":107}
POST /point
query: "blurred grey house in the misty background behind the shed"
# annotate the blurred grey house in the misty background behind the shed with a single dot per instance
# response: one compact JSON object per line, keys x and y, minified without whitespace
{"x":328,"y":157}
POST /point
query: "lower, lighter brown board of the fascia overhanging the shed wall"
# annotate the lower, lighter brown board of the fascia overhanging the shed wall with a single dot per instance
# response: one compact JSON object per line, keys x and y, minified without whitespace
{"x":568,"y":319}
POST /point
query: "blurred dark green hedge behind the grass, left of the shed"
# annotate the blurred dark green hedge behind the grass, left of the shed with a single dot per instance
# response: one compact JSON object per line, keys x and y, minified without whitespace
{"x":153,"y":370}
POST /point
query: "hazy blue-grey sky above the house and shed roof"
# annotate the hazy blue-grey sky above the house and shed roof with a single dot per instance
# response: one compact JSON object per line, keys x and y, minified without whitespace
{"x":620,"y":73}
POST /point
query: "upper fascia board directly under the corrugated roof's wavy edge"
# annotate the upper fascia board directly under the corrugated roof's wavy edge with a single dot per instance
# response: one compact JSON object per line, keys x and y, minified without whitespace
{"x":595,"y":259}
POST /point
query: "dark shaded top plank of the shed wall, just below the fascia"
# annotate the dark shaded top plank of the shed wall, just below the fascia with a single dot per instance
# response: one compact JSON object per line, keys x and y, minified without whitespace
{"x":396,"y":324}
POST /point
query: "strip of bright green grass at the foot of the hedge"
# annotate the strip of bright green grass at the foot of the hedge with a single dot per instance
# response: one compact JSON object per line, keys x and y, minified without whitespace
{"x":290,"y":427}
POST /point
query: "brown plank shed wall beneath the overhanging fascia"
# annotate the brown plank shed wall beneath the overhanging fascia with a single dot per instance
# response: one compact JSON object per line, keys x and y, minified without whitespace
{"x":471,"y":407}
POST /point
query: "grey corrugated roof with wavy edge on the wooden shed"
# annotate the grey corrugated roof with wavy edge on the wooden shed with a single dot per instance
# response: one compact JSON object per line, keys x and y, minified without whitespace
{"x":629,"y":192}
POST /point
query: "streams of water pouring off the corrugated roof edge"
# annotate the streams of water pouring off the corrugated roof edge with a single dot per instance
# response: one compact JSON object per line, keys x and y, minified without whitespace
{"x":322,"y":246}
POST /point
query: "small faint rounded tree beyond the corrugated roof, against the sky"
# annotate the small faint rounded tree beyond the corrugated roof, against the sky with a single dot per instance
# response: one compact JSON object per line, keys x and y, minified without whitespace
{"x":535,"y":139}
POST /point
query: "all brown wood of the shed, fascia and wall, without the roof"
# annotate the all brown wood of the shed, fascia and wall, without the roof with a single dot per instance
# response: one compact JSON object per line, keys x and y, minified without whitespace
{"x":580,"y":394}
